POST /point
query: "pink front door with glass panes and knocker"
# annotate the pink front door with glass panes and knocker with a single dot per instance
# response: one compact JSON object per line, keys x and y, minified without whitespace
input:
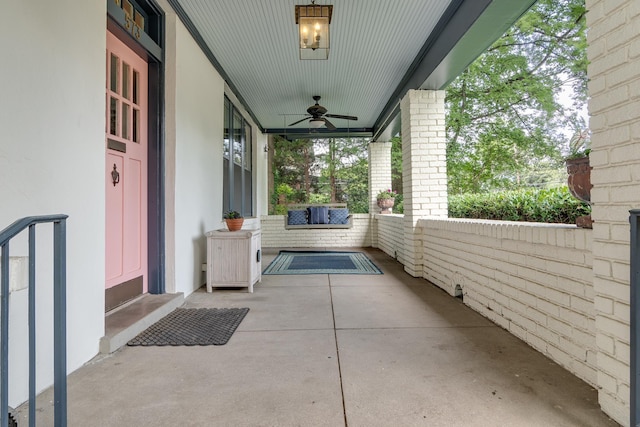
{"x":126,"y":174}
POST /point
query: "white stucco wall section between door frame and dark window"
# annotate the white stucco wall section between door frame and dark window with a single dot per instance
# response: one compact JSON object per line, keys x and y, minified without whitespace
{"x":199,"y":113}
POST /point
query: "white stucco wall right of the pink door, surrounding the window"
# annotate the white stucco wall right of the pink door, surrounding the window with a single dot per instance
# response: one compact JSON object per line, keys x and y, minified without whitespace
{"x":194,"y":130}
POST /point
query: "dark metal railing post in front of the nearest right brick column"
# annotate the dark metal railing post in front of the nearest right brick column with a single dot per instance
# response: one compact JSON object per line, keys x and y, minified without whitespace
{"x":634,"y":282}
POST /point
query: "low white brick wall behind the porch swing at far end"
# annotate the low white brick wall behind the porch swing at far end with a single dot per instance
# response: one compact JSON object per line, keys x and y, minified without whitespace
{"x":274,"y":234}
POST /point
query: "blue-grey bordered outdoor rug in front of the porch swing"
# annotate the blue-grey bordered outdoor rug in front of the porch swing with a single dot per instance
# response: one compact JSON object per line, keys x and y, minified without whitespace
{"x":321,"y":262}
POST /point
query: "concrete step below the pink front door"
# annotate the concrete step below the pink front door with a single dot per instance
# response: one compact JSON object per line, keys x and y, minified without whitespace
{"x":127,"y":321}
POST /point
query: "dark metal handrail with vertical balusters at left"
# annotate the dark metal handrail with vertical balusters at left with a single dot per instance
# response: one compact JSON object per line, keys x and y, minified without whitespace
{"x":59,"y":316}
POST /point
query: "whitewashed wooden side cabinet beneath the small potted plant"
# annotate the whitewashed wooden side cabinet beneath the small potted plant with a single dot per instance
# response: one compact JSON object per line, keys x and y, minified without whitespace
{"x":233,"y":259}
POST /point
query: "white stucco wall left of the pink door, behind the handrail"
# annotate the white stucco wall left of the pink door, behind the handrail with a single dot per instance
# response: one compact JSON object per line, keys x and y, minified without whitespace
{"x":52,"y":116}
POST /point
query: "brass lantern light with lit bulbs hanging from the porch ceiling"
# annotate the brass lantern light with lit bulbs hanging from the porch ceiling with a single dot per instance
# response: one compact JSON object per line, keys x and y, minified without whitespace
{"x":313,"y":30}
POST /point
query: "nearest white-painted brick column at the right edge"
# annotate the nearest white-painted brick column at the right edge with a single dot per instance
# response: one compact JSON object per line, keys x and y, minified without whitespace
{"x":614,"y":106}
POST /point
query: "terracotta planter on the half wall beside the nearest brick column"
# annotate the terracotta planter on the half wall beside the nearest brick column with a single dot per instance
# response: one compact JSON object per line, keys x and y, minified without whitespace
{"x":579,"y":170}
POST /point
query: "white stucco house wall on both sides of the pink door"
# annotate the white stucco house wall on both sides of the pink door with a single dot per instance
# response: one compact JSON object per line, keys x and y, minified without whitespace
{"x":52,"y":116}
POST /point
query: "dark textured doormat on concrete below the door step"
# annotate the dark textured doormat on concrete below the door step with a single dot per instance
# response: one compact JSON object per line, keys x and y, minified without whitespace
{"x":192,"y":326}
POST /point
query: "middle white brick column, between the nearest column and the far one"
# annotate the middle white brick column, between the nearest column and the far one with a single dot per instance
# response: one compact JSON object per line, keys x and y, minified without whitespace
{"x":424,"y":168}
